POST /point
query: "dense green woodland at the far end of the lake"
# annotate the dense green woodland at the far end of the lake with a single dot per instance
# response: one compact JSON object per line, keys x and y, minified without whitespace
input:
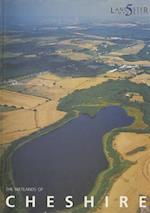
{"x":112,"y":91}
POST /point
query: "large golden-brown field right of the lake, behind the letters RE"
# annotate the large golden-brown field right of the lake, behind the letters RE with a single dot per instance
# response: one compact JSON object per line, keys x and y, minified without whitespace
{"x":136,"y":180}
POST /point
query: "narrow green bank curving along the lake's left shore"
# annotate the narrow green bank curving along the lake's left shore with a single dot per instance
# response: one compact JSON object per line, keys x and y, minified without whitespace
{"x":6,"y":178}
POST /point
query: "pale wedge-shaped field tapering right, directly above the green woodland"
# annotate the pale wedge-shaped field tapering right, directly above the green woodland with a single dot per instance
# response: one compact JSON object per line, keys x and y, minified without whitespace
{"x":61,"y":86}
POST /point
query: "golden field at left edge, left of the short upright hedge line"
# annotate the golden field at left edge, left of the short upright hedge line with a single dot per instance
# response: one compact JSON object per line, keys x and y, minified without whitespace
{"x":16,"y":124}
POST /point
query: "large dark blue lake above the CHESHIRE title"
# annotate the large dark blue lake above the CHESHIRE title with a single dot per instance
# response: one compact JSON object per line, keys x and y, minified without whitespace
{"x":67,"y":160}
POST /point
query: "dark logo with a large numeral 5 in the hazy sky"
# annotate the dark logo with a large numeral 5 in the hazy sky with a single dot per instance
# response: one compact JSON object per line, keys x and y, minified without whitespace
{"x":130,"y":10}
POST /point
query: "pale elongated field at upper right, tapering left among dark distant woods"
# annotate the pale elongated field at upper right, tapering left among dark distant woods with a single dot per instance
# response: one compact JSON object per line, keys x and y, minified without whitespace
{"x":134,"y":49}
